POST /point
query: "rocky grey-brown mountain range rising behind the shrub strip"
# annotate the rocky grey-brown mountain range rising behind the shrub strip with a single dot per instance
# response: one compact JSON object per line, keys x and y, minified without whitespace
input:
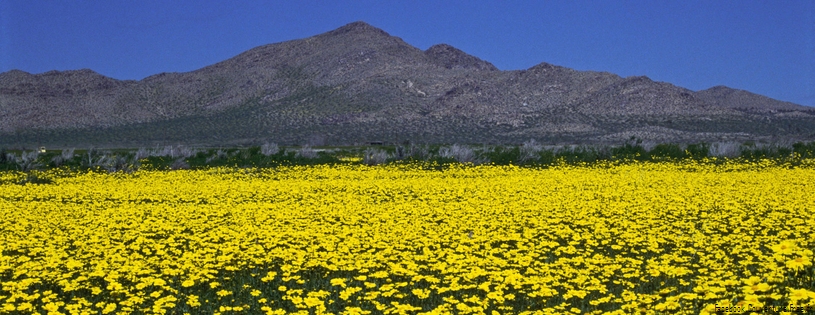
{"x":358,"y":83}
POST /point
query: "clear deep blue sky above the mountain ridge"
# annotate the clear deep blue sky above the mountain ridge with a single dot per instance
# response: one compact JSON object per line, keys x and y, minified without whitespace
{"x":766,"y":47}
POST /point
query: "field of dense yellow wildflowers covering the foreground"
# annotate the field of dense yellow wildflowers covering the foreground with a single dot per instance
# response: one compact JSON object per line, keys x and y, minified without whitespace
{"x":657,"y":238}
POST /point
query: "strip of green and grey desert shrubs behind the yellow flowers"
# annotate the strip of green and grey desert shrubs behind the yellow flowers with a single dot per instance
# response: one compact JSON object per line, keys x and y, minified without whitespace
{"x":270,"y":154}
